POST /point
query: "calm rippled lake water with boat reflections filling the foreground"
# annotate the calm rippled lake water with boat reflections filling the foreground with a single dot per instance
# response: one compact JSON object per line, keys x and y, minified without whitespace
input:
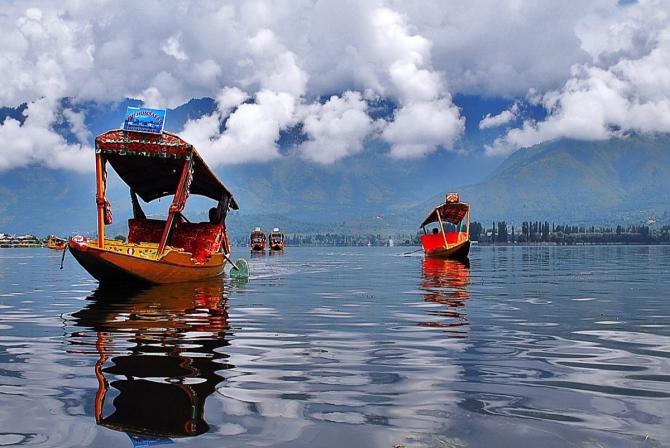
{"x":344,"y":347}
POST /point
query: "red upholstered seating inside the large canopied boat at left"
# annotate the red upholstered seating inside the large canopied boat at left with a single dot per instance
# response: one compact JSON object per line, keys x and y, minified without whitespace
{"x":200,"y":239}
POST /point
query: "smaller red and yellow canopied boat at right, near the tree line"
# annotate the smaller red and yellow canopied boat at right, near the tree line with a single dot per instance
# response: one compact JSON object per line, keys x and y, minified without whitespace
{"x":450,"y":237}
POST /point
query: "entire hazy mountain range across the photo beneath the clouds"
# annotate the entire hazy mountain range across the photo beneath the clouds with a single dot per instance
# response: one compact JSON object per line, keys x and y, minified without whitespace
{"x":614,"y":181}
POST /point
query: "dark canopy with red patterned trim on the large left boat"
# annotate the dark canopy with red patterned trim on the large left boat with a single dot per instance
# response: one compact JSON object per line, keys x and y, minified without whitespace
{"x":152,"y":165}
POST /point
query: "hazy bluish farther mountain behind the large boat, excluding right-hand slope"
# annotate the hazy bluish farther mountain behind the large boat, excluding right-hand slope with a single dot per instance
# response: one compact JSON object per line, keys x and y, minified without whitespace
{"x":350,"y":194}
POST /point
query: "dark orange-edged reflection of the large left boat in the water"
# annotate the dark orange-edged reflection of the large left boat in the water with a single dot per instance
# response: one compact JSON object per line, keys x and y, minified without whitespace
{"x":159,"y":352}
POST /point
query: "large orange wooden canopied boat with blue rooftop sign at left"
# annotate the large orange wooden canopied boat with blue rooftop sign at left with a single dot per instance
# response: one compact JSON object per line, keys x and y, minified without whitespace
{"x":156,"y":251}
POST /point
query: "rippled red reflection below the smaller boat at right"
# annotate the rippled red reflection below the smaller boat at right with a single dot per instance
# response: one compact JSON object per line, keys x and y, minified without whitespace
{"x":445,"y":281}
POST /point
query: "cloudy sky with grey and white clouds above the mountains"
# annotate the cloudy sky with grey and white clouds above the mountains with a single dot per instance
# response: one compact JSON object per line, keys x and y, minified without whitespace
{"x":599,"y":69}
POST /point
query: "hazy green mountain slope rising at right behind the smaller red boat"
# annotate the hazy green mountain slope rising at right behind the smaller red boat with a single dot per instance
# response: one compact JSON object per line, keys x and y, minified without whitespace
{"x":613,"y":181}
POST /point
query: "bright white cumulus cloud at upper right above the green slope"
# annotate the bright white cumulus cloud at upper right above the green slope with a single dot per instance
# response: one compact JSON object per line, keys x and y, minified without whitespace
{"x":599,"y":101}
